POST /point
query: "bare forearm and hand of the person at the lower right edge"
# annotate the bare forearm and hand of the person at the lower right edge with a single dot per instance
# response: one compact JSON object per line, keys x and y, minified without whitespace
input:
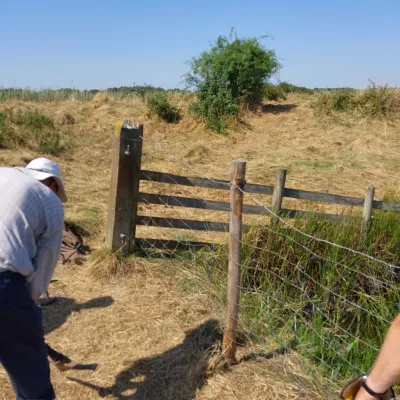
{"x":386,"y":369}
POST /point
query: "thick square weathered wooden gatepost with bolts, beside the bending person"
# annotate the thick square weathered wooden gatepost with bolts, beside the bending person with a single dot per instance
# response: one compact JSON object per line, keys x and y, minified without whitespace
{"x":124,"y":188}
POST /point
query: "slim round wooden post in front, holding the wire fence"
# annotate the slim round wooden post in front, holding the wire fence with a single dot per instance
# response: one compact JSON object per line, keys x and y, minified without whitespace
{"x":235,"y":257}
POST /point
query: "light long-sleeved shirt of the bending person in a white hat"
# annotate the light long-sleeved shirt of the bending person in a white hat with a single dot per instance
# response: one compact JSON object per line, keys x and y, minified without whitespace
{"x":31,"y":226}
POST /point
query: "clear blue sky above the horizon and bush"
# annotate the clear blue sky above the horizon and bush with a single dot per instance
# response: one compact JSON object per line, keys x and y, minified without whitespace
{"x":97,"y":44}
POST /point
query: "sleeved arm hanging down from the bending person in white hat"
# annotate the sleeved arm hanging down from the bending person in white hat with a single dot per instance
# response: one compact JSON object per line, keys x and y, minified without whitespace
{"x":48,"y":251}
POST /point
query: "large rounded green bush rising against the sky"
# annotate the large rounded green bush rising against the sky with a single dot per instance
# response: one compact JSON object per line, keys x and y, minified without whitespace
{"x":229,"y":76}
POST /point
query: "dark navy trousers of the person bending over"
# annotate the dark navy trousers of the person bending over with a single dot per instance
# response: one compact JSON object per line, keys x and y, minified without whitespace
{"x":23,"y":352}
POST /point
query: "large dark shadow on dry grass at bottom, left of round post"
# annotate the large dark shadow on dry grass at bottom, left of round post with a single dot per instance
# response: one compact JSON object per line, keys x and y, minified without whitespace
{"x":176,"y":374}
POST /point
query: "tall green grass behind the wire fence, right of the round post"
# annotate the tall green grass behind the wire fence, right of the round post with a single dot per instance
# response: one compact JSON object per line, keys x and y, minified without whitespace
{"x":336,"y":315}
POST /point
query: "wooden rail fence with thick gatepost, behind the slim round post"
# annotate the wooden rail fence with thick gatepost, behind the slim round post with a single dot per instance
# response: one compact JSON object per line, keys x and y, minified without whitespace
{"x":125,"y":196}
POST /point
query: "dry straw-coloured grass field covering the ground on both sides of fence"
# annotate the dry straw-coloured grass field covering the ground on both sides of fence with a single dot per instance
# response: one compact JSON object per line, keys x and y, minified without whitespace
{"x":154,"y":338}
